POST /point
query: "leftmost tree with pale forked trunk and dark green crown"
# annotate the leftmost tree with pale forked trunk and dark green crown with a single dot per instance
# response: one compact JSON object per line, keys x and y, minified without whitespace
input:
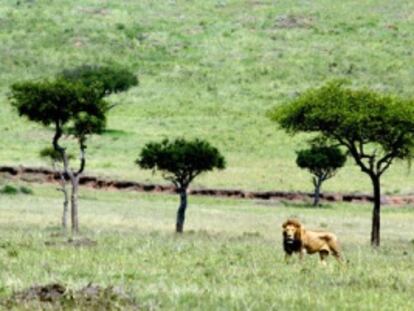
{"x":71,"y":109}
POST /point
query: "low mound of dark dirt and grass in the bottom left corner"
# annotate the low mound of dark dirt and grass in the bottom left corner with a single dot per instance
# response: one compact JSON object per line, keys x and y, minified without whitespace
{"x":57,"y":296}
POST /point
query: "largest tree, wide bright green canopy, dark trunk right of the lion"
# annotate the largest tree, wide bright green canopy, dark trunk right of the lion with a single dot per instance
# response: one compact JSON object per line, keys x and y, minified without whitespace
{"x":375,"y":129}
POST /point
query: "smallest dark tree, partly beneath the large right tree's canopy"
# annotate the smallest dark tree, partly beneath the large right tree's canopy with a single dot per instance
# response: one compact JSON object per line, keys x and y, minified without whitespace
{"x":322,"y":162}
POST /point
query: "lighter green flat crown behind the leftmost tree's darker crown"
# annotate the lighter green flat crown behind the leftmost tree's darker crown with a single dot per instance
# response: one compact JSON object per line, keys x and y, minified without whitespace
{"x":112,"y":79}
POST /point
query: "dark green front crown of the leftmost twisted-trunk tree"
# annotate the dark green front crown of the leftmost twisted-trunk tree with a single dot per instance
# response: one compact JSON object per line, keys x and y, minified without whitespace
{"x":71,"y":106}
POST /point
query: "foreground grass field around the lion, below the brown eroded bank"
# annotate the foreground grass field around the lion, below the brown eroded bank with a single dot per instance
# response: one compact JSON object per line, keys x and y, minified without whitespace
{"x":229,"y":258}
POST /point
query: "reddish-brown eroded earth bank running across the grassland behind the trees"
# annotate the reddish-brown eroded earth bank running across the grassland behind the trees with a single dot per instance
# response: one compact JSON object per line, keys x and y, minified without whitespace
{"x":41,"y":174}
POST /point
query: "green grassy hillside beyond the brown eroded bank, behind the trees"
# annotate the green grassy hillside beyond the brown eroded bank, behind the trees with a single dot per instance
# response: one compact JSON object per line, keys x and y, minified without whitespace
{"x":208,"y":69}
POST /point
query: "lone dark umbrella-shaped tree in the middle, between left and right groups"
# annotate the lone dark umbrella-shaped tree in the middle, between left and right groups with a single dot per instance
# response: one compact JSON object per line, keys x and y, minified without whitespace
{"x":180,"y":161}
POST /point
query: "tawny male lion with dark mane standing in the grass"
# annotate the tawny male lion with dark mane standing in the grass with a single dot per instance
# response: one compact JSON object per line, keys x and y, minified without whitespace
{"x":298,"y":240}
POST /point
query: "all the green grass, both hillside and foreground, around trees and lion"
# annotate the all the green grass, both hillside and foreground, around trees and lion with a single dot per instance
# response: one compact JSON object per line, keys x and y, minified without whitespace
{"x":208,"y":69}
